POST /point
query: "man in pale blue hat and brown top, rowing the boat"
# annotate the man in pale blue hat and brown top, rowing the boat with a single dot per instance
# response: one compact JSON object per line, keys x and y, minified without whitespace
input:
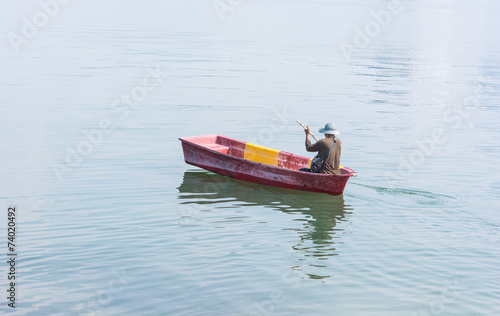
{"x":331,"y":164}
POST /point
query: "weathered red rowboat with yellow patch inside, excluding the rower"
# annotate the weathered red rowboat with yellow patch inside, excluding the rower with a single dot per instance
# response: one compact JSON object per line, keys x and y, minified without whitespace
{"x":245,"y":161}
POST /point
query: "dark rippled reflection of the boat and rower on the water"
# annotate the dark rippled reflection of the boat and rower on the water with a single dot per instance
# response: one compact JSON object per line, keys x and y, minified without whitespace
{"x":318,"y":233}
